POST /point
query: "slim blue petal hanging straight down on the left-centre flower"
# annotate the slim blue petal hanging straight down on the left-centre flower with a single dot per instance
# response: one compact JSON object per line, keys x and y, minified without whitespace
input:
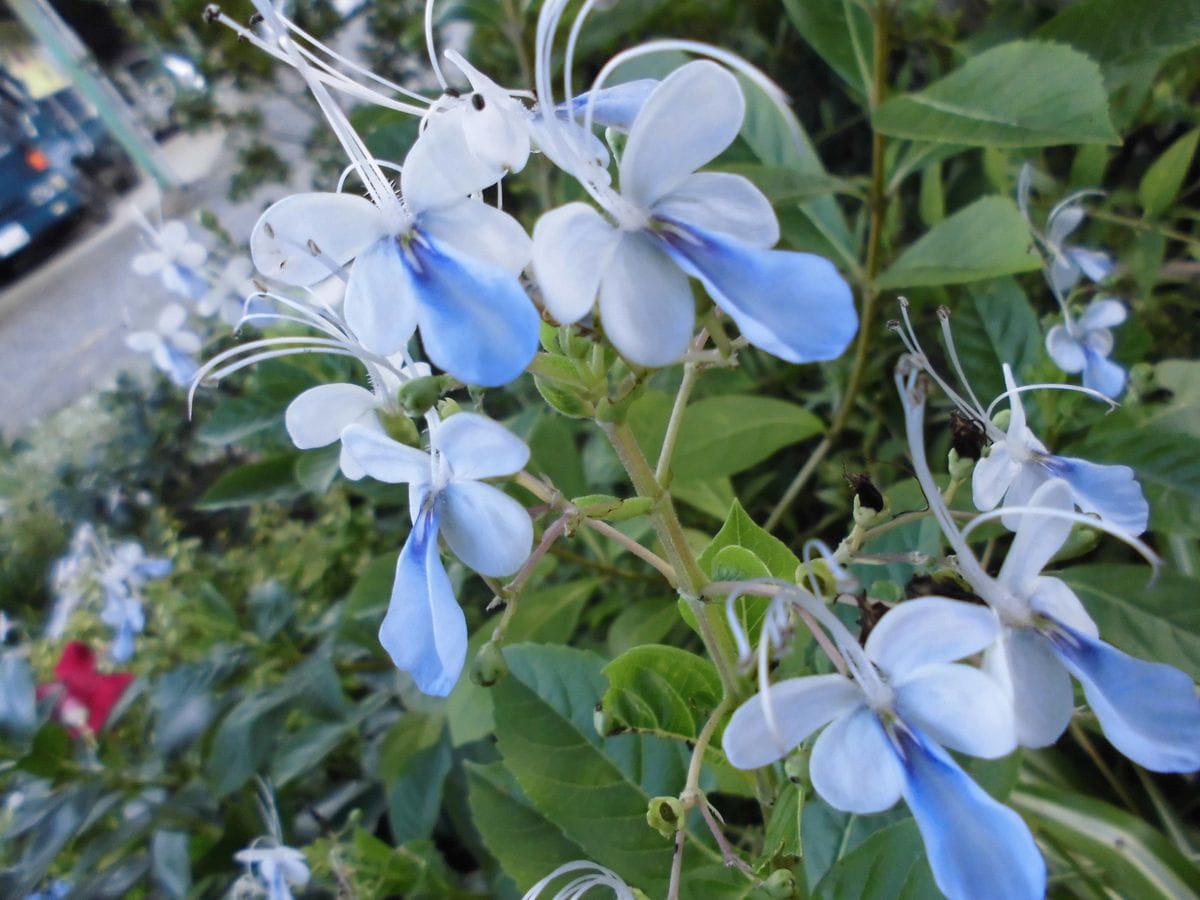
{"x":425,"y":632}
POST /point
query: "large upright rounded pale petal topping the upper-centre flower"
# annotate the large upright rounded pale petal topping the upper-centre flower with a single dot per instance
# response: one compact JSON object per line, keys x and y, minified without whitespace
{"x":691,"y":118}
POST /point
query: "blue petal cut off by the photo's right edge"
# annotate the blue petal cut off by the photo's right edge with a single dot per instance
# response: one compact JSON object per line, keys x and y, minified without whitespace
{"x":1149,"y":711}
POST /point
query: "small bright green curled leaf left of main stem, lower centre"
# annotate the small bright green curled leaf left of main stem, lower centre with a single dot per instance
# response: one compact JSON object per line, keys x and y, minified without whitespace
{"x":662,"y":691}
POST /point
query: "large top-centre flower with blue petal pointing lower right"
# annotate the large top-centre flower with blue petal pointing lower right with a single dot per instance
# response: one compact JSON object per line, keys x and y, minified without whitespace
{"x":670,"y":223}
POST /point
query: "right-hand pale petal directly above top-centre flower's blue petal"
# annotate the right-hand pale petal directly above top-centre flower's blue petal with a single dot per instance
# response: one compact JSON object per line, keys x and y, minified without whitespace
{"x":724,"y":203}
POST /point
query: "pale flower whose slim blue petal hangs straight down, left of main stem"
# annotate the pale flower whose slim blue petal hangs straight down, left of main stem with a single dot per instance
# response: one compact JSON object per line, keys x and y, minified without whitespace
{"x":425,"y":632}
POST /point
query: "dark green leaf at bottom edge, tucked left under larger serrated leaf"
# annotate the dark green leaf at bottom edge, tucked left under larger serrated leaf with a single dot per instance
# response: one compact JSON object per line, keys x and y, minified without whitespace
{"x":527,"y":845}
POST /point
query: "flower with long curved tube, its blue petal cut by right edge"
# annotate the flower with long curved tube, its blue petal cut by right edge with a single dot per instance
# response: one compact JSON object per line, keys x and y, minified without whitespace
{"x":1149,"y":711}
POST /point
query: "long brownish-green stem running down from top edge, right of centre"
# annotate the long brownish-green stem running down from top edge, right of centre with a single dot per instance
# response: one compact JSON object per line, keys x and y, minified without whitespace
{"x":878,"y":203}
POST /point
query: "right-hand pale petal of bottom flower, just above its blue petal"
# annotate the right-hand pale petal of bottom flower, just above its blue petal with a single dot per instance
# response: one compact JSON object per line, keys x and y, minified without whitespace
{"x":962,"y":709}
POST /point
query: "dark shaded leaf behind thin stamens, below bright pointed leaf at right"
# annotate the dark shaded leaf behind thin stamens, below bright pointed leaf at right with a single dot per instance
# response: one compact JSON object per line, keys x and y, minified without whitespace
{"x":995,"y":325}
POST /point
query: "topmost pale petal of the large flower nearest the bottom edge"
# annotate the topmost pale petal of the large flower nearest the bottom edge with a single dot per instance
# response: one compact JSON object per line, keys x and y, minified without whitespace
{"x":931,"y":631}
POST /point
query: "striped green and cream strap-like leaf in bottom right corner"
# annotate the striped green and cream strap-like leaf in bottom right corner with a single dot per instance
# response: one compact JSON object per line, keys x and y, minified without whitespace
{"x":1133,"y":859}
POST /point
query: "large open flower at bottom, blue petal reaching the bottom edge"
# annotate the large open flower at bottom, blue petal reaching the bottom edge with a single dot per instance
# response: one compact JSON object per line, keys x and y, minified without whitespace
{"x":884,"y":736}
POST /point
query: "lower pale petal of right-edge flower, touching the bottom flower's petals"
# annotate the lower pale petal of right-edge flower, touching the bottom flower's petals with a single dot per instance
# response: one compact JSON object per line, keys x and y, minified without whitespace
{"x":1025,"y":664}
